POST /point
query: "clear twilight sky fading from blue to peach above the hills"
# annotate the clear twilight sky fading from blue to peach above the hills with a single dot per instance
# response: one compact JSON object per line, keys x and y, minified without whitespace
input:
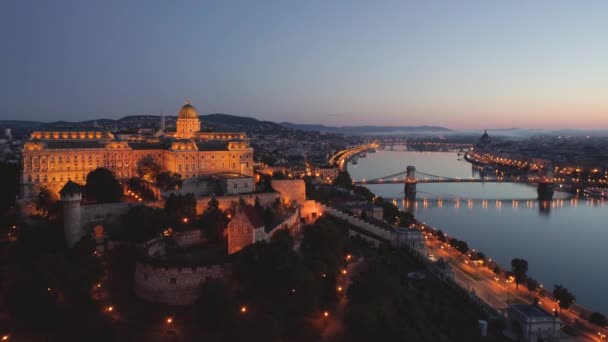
{"x":458,"y":64}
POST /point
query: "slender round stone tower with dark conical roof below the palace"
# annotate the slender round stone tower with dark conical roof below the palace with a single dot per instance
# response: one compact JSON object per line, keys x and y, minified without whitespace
{"x":71,"y":196}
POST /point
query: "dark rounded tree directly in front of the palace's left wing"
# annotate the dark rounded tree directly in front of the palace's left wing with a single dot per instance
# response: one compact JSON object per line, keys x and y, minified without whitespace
{"x":103,"y":187}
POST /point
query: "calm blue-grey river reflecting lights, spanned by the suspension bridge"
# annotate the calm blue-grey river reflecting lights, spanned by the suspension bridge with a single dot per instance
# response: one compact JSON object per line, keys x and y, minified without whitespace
{"x":565,"y":243}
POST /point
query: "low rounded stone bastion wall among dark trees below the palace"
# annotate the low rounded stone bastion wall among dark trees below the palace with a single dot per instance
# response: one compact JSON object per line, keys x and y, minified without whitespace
{"x":174,"y":285}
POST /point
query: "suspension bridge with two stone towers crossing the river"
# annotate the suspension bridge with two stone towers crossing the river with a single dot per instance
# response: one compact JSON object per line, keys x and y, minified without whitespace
{"x":410,"y":177}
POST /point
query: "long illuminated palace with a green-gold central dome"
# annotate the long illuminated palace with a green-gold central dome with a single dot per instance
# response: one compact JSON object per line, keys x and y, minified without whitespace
{"x":51,"y":158}
